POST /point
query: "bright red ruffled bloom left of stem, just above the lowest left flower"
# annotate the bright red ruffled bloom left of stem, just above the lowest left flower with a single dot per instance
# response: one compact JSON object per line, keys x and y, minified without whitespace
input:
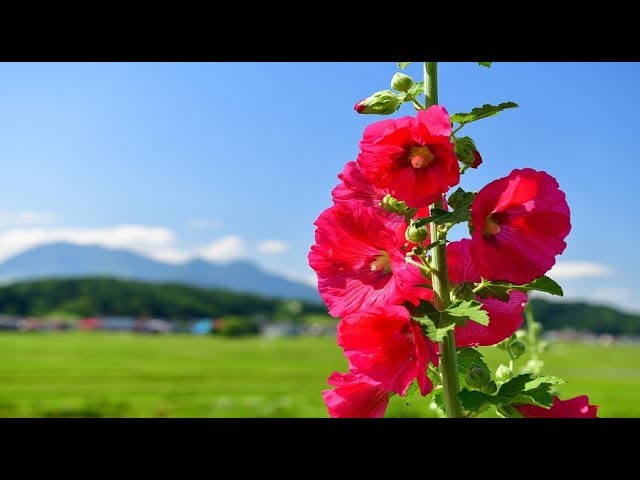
{"x":386,"y":345}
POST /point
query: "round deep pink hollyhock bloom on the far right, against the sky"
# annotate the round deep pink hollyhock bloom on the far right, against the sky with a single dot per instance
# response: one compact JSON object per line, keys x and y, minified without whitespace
{"x":519,"y":226}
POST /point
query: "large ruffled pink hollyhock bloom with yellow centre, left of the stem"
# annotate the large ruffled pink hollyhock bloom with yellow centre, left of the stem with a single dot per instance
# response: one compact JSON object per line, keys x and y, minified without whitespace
{"x":360,"y":262}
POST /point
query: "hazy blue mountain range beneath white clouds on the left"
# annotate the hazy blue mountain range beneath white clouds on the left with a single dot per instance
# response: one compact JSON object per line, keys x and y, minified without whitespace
{"x":65,"y":260}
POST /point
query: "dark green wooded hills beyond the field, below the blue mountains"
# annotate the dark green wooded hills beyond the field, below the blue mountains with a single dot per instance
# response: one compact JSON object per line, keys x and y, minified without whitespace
{"x":107,"y":296}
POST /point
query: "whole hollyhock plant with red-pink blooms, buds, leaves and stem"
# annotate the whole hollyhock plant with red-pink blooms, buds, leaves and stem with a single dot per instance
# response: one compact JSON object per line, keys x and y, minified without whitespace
{"x":412,"y":305}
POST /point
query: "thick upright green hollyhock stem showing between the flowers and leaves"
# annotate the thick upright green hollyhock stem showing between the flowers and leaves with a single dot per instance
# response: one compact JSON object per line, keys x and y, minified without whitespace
{"x":440,"y":277}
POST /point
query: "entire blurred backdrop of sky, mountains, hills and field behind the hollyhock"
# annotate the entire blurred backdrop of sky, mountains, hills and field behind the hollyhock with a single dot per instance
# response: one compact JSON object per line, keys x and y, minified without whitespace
{"x":155,"y":220}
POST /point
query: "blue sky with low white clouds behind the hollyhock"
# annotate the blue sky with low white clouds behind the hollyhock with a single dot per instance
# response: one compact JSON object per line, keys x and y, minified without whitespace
{"x":236,"y":160}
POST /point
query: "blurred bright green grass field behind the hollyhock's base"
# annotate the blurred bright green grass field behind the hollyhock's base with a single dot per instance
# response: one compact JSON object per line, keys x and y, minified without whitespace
{"x":127,"y":375}
